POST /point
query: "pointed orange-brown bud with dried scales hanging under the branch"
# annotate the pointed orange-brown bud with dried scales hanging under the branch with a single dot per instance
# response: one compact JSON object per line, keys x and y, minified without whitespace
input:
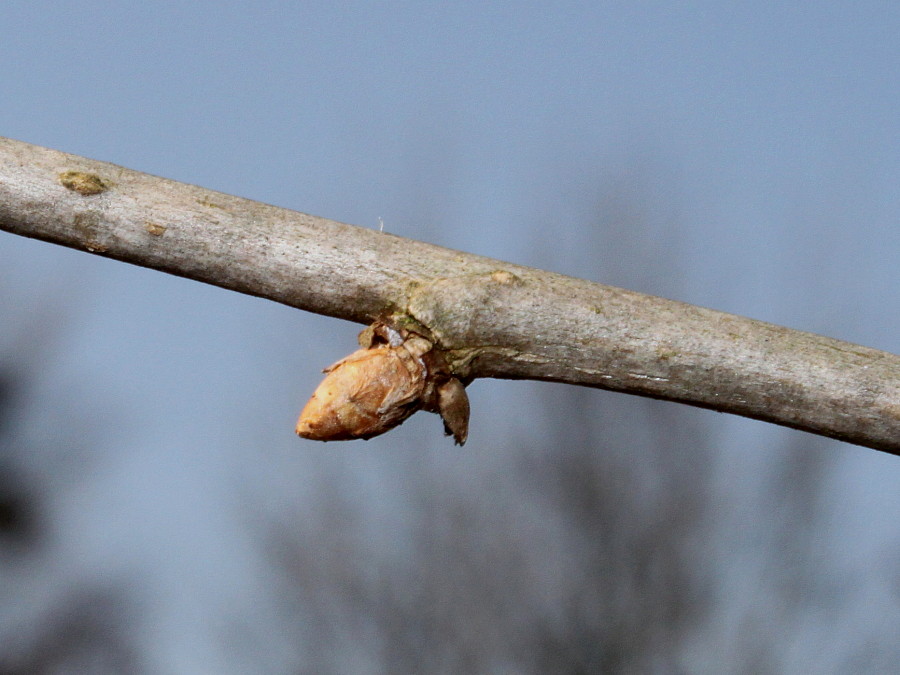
{"x":377,"y":387}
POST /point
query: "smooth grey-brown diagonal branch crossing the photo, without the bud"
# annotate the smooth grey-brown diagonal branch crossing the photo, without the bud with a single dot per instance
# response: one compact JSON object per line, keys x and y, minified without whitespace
{"x":493,"y":318}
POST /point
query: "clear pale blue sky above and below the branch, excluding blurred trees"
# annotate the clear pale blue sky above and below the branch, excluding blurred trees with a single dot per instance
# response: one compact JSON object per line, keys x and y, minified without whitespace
{"x":760,"y":140}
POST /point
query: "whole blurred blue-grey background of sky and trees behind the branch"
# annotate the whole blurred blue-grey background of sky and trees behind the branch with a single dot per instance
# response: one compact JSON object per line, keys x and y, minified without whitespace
{"x":157,"y":513}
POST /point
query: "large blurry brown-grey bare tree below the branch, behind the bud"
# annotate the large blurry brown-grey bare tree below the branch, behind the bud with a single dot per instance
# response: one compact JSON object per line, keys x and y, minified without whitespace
{"x":597,"y":550}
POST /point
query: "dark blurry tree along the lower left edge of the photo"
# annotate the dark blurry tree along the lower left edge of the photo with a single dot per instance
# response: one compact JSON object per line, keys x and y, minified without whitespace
{"x":45,"y":626}
